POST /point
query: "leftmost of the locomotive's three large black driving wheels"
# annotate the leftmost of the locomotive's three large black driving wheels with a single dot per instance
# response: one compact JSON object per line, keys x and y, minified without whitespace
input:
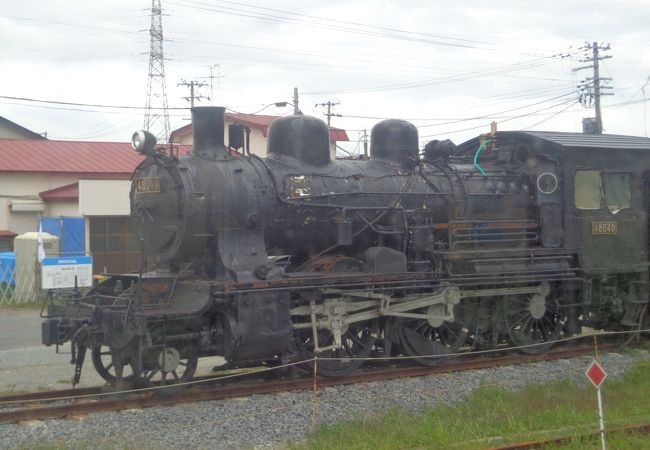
{"x":357,"y":339}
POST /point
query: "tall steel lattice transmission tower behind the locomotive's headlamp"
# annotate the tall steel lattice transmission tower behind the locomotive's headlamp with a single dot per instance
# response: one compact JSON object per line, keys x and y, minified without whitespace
{"x":156,"y":117}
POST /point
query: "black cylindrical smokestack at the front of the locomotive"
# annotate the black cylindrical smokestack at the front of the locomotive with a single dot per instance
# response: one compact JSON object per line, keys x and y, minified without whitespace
{"x":207,"y":130}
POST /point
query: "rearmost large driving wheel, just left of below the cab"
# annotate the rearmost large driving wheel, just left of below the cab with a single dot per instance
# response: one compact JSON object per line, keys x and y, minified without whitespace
{"x":535,"y":321}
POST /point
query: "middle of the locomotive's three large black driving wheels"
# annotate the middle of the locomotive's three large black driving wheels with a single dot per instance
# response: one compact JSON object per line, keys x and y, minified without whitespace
{"x":426,"y":339}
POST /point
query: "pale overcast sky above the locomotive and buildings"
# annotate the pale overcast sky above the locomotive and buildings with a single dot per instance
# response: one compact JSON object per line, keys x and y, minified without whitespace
{"x":449,"y":67}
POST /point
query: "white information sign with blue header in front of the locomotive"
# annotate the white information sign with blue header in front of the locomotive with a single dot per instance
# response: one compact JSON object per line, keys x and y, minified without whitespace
{"x":60,"y":272}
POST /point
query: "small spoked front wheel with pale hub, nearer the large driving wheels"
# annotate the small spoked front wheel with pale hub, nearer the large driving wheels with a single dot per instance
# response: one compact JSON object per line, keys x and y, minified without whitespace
{"x":165,"y":362}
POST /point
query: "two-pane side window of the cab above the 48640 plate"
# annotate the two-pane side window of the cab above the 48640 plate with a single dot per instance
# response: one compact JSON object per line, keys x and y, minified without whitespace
{"x":595,"y":190}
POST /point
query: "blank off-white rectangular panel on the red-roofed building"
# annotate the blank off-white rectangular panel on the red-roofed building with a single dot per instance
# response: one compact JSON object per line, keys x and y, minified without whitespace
{"x":104,"y":197}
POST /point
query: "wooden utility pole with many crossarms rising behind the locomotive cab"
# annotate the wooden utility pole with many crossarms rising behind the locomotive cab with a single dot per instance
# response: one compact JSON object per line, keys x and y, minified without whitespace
{"x":591,"y":87}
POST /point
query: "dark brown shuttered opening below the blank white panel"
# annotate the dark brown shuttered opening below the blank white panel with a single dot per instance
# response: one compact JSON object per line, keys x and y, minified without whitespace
{"x":113,"y":244}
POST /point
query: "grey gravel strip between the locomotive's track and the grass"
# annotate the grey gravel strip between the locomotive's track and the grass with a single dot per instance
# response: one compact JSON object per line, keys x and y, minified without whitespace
{"x":267,"y":421}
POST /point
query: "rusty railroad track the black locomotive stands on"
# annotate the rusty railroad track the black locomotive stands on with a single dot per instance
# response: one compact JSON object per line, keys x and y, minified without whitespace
{"x":89,"y":400}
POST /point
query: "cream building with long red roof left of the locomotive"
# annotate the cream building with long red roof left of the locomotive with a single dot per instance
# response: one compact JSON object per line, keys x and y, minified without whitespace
{"x":46,"y":178}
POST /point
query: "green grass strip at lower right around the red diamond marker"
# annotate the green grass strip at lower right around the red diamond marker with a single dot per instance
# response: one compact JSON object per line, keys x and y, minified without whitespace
{"x":493,"y":416}
